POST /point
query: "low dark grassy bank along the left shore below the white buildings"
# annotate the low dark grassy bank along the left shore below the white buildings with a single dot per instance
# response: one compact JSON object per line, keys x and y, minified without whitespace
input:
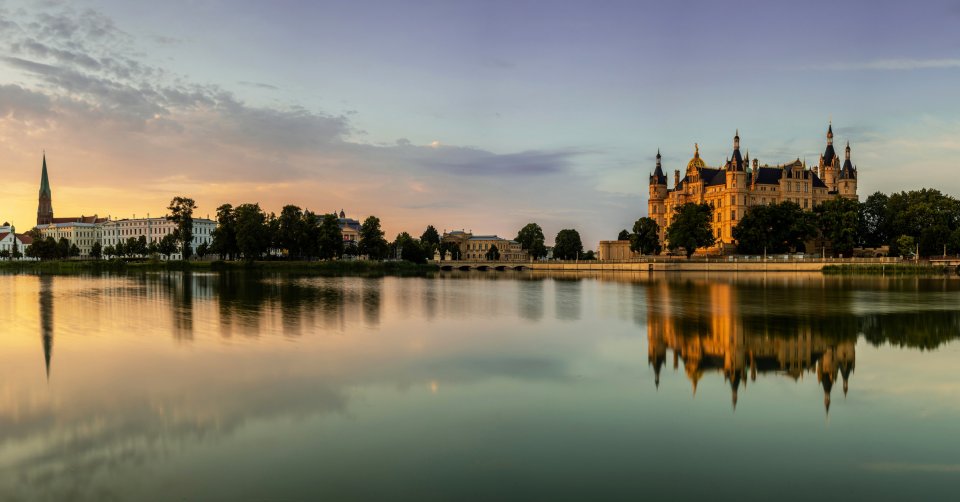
{"x":334,"y":267}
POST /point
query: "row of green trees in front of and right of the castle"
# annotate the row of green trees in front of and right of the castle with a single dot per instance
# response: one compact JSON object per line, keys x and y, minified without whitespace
{"x":924,"y":222}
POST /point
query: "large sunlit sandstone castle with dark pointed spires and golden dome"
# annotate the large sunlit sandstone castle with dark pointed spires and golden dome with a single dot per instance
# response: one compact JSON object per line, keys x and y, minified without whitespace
{"x":734,"y":187}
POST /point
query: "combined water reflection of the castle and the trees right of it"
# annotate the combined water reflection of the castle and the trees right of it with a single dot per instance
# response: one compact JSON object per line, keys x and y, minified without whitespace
{"x":742,"y":329}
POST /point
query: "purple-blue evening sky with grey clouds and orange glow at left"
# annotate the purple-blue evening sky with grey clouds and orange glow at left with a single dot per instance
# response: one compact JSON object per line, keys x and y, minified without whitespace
{"x":475,"y":115}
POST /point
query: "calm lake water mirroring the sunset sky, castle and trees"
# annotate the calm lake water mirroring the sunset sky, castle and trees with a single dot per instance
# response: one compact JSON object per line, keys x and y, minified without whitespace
{"x":478,"y":386}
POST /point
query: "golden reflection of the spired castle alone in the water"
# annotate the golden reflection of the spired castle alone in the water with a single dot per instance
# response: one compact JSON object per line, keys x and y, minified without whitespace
{"x":715,"y":328}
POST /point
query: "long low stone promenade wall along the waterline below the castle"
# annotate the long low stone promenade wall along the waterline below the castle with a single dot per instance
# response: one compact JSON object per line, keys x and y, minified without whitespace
{"x":674,"y":264}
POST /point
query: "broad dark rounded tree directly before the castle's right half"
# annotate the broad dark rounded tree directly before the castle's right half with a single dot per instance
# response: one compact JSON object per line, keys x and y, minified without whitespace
{"x":774,"y":228}
